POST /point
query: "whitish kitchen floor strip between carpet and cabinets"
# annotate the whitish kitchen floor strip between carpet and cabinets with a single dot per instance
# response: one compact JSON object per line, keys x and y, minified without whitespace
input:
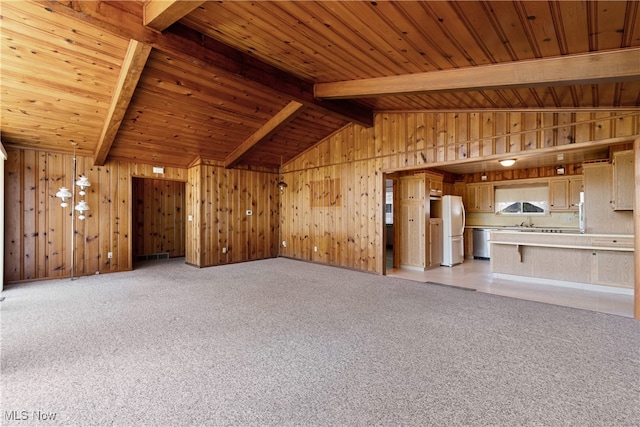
{"x":477,"y":274}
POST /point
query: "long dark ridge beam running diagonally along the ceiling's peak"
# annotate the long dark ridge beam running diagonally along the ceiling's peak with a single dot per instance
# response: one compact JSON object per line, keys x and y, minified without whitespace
{"x":193,"y":47}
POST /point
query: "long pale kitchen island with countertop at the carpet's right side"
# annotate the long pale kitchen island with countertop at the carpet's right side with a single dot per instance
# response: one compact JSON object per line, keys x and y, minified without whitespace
{"x":597,"y":259}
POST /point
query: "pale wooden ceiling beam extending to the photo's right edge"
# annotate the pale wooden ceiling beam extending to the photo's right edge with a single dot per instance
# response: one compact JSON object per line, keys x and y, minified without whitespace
{"x":592,"y":68}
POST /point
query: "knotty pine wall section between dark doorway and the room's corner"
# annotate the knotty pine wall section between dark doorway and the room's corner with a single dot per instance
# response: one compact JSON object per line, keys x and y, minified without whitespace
{"x":218,"y":200}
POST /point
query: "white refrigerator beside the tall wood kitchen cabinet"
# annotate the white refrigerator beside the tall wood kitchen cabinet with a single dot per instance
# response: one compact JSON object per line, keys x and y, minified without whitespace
{"x":453,"y":221}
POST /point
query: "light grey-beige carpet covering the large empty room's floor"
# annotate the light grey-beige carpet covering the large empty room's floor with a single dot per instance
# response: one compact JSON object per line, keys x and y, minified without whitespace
{"x":281,"y":342}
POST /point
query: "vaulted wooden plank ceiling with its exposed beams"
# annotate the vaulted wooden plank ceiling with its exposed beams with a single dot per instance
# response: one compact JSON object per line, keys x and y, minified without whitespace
{"x":255,"y":83}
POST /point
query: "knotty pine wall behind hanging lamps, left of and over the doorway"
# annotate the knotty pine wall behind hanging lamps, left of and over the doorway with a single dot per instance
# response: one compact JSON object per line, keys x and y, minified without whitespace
{"x":38,"y":230}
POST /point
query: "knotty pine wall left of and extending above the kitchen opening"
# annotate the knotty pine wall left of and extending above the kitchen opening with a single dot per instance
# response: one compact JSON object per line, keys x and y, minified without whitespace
{"x":335,"y":197}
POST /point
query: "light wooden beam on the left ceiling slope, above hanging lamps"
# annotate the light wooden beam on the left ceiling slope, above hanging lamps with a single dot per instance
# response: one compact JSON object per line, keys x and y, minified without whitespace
{"x":132,"y":66}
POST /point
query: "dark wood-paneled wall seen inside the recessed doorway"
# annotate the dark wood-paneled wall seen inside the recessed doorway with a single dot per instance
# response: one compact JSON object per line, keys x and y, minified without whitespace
{"x":158,"y":217}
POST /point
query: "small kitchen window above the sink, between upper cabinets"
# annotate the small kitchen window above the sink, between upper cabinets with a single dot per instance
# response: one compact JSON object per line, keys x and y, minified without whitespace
{"x":522,"y":200}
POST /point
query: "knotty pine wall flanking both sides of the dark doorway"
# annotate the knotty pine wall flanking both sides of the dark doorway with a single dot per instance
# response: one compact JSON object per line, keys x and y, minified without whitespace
{"x":38,"y":231}
